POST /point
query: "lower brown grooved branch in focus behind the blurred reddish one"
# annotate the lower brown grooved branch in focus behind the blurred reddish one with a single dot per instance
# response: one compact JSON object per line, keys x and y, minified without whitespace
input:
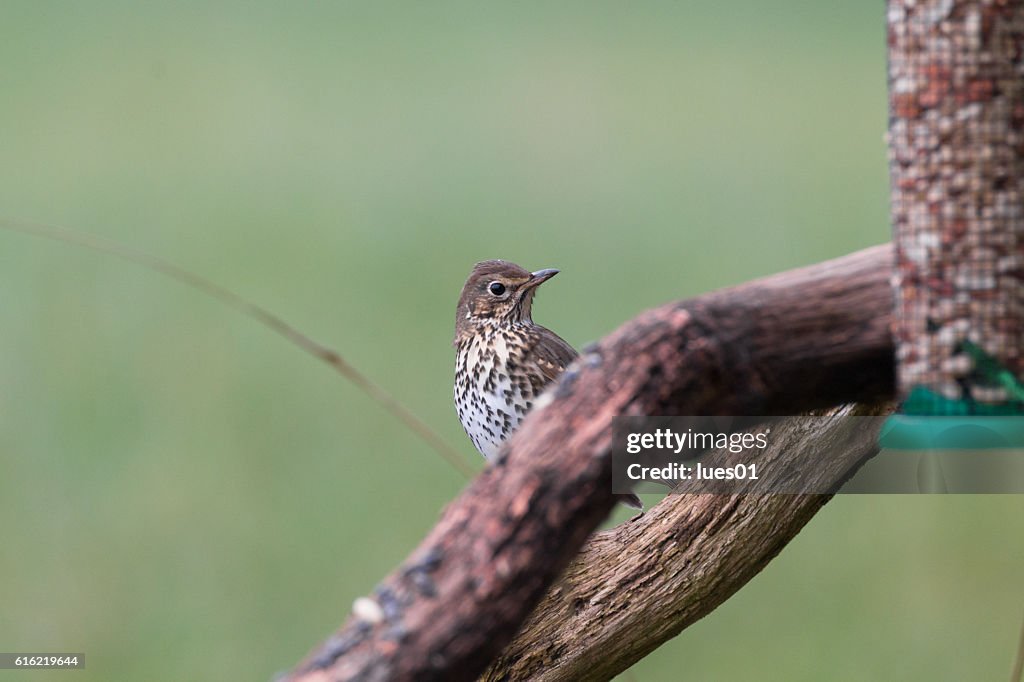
{"x":638,"y":585}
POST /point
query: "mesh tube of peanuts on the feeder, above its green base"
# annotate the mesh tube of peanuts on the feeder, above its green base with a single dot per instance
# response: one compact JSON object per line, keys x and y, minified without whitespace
{"x":957,"y":139}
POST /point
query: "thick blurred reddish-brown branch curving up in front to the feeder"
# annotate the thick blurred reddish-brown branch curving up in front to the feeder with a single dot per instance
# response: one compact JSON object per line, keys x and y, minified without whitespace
{"x":805,"y":339}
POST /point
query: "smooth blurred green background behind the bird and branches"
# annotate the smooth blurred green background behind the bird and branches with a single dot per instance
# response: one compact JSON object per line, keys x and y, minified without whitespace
{"x":185,"y":496}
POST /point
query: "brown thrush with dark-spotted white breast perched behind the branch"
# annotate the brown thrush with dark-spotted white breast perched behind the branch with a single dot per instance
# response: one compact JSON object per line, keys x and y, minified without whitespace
{"x":504,"y":360}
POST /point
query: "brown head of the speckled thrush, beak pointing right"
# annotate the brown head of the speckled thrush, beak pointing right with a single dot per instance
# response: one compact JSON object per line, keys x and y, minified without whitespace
{"x":497,"y":291}
